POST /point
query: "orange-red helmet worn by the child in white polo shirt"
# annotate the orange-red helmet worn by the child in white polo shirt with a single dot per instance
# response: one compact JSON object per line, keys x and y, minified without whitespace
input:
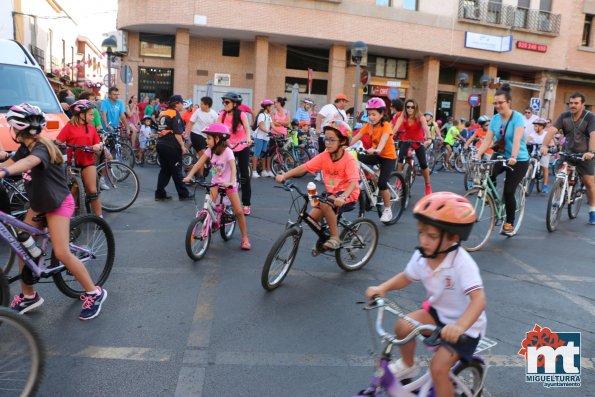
{"x":447,"y":211}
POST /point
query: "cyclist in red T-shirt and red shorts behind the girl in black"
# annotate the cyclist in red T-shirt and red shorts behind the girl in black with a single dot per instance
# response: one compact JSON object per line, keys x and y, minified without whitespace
{"x":80,"y":131}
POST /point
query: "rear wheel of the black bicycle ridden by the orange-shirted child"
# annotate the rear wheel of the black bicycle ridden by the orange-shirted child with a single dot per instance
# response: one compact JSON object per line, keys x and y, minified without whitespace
{"x":359,"y":242}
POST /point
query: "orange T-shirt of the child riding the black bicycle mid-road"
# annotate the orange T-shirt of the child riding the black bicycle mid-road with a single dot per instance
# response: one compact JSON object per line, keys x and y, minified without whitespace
{"x":337,"y":175}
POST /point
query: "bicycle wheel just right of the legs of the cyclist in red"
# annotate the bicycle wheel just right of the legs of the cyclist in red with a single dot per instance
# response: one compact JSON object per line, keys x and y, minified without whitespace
{"x":118,"y":184}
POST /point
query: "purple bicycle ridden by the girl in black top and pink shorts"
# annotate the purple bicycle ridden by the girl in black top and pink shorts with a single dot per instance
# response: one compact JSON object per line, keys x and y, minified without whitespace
{"x":91,"y":241}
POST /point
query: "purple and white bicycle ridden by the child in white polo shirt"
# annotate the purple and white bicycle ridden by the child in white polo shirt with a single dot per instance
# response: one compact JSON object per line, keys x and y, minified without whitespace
{"x":468,"y":378}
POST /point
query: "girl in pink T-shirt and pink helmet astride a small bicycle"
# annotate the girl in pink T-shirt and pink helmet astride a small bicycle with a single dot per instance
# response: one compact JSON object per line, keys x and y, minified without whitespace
{"x":223,"y":167}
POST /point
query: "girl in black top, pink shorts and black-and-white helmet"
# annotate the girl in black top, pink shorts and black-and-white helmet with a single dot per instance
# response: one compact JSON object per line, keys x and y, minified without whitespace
{"x":40,"y":161}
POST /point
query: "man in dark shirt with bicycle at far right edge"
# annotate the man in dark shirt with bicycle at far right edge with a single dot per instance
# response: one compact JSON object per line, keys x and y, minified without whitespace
{"x":578,"y":126}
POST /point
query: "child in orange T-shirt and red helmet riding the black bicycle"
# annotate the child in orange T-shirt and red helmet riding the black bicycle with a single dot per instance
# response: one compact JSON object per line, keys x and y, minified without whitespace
{"x":340,"y":174}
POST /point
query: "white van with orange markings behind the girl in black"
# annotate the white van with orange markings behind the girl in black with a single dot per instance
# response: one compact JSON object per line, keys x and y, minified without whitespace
{"x":22,"y":80}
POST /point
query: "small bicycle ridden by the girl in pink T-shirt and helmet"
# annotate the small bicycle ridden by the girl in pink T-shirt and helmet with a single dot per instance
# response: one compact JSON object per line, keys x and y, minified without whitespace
{"x":212,"y":217}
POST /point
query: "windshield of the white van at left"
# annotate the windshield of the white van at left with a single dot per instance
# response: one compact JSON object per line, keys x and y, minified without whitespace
{"x":20,"y":84}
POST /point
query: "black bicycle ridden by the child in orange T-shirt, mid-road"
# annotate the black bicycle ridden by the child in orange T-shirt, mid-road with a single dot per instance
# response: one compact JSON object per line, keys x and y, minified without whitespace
{"x":357,"y":237}
